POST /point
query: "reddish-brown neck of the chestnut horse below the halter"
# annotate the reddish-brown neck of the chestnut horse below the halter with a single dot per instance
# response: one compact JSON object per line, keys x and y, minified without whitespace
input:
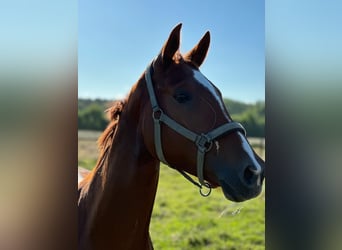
{"x":128,"y":185}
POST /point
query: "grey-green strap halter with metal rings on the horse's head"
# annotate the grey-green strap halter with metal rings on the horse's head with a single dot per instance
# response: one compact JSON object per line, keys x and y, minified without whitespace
{"x":203,"y":142}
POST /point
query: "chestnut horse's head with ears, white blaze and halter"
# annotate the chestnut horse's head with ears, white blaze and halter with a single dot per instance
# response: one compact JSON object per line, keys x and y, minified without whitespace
{"x":189,"y":127}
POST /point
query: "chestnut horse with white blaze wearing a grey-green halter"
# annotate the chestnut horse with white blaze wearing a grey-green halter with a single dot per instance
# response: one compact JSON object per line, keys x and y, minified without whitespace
{"x":175,"y":115}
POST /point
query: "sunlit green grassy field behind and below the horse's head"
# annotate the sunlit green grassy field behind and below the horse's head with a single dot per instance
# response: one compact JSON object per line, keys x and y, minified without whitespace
{"x":182,"y":219}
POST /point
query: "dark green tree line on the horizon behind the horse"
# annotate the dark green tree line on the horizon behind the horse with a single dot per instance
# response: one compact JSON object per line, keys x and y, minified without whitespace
{"x":91,"y":115}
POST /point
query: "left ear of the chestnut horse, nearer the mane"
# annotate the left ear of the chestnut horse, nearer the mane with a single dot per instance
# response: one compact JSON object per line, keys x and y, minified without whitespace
{"x":171,"y":45}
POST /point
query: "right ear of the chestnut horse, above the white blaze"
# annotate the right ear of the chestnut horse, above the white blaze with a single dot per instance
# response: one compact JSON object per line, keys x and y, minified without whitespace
{"x":199,"y":52}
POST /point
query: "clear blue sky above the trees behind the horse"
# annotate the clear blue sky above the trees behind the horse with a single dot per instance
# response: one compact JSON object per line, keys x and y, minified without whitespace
{"x":117,"y":40}
